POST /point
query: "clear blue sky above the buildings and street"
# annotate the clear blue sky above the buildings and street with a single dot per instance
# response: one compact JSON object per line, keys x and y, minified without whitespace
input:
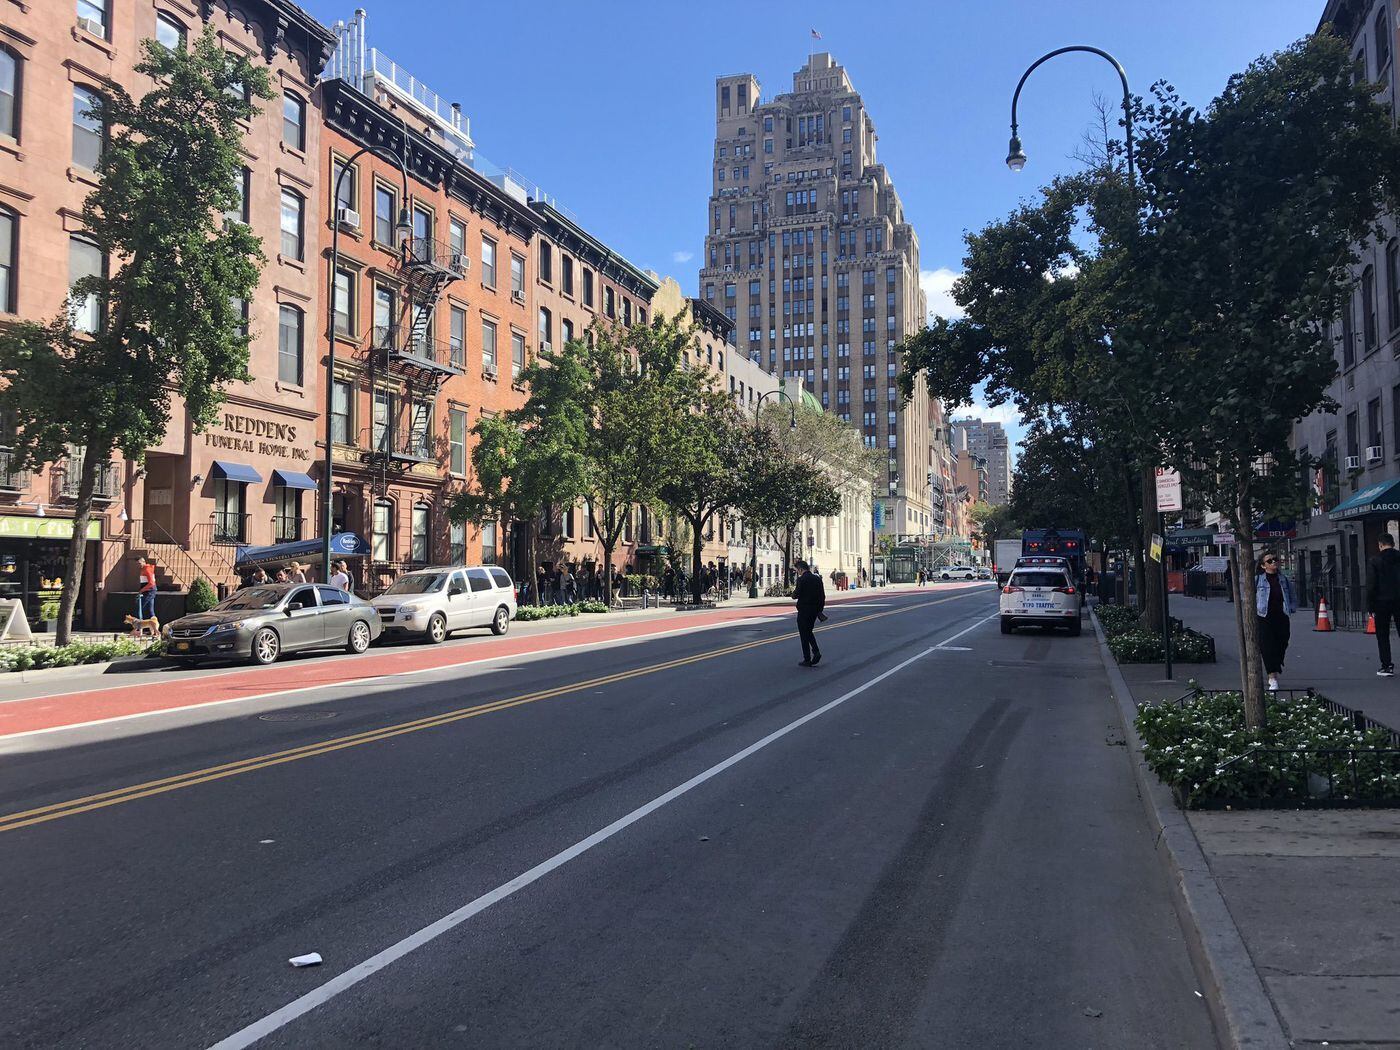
{"x":610,"y":108}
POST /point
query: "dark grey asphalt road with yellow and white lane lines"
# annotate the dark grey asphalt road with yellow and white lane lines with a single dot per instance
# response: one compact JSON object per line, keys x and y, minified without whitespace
{"x":645,"y":846}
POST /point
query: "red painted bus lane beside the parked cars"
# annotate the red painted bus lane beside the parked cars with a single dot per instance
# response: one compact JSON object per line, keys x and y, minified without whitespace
{"x":122,"y":702}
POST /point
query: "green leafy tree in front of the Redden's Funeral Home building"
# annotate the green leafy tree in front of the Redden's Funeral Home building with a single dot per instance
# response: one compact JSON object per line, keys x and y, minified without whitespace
{"x":160,"y":320}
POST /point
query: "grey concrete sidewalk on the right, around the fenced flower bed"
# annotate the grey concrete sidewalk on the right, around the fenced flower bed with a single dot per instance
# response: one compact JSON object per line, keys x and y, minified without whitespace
{"x":1315,"y":895}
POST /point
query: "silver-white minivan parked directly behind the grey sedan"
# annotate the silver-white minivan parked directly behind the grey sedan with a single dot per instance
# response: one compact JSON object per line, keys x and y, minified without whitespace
{"x":435,"y":603}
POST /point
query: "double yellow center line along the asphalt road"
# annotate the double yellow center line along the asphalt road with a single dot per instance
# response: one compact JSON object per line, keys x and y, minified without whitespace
{"x":73,"y":807}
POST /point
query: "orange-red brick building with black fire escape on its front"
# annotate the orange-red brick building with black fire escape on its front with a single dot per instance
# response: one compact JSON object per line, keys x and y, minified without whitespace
{"x":433,"y":330}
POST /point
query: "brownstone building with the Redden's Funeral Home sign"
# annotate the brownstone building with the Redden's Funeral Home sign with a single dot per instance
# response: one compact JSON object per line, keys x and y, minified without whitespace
{"x":197,"y":495}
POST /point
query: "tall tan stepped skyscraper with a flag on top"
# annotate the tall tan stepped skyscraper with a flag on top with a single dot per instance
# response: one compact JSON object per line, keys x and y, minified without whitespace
{"x":810,"y":254}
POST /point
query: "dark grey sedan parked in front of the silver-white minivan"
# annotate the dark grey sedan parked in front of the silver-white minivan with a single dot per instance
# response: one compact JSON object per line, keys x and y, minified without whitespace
{"x":260,"y":624}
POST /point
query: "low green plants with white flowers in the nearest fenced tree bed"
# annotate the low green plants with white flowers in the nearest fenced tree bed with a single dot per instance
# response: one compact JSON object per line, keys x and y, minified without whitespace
{"x":1203,"y":750}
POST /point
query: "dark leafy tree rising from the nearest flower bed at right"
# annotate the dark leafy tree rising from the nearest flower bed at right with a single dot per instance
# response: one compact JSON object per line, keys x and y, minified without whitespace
{"x":1255,"y":211}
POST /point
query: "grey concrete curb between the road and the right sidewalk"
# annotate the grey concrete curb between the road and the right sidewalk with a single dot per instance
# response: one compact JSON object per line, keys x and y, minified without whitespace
{"x":1240,"y":1004}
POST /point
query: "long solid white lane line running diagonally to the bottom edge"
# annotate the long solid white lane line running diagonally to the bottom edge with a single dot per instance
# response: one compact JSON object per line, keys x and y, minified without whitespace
{"x":344,"y":982}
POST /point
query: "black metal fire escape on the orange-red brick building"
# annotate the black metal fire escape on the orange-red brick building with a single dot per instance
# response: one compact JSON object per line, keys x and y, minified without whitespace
{"x":408,"y":353}
